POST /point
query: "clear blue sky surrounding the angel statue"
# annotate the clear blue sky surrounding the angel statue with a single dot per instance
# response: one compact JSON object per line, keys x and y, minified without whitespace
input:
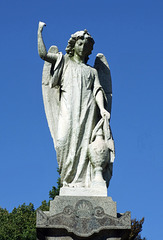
{"x":130,"y":35}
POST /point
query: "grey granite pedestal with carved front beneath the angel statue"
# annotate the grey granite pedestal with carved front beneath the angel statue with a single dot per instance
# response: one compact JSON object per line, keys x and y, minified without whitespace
{"x":79,"y":218}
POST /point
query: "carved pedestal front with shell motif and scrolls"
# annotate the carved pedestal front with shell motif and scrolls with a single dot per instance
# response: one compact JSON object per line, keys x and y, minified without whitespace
{"x":84,"y":221}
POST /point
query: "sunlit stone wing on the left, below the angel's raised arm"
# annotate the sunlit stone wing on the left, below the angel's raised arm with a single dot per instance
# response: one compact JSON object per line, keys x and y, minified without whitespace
{"x":51,"y":91}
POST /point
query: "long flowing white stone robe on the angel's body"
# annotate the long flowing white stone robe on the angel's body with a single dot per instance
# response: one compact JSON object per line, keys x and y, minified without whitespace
{"x":77,"y":117}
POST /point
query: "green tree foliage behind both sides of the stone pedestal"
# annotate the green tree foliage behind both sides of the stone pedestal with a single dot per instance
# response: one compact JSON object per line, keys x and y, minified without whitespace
{"x":20,"y":224}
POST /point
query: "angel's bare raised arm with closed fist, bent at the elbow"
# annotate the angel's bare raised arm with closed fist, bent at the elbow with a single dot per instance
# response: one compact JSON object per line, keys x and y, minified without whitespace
{"x":49,"y":57}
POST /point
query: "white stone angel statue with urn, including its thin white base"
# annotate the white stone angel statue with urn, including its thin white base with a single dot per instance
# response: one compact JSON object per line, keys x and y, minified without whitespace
{"x":77,"y":101}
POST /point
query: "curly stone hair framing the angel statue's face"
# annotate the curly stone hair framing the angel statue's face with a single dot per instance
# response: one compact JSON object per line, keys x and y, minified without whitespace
{"x":80,"y":35}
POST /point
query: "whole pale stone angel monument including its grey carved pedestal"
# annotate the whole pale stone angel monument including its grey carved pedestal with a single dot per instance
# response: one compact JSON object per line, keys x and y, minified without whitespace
{"x":77,"y":100}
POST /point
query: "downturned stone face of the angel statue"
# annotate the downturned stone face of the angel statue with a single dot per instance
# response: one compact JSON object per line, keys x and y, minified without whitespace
{"x":82,"y":48}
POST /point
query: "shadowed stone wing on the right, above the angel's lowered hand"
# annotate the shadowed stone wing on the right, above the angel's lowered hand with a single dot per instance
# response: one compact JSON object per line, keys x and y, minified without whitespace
{"x":102,"y":67}
